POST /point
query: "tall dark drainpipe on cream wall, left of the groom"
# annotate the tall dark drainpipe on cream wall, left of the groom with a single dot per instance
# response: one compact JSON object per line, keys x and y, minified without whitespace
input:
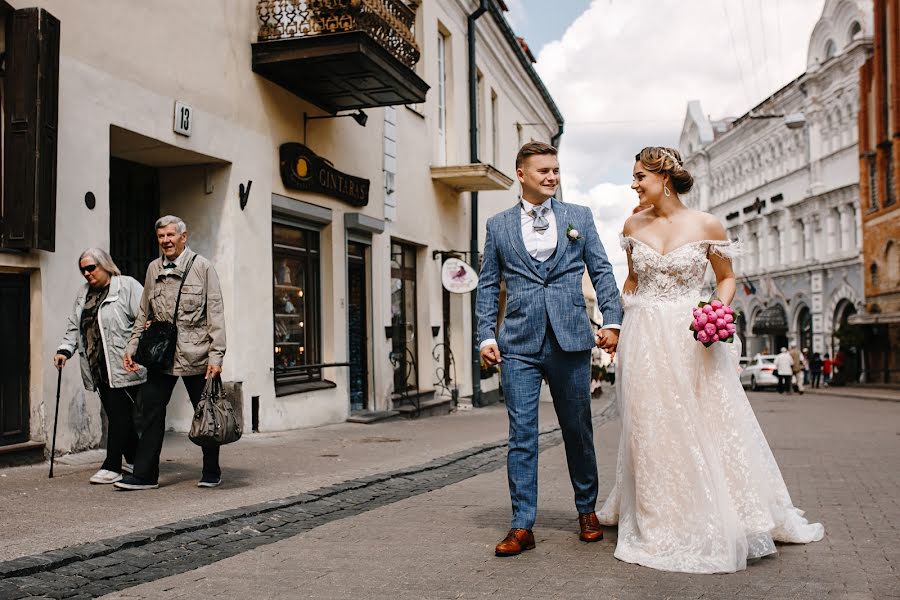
{"x":473,"y":156}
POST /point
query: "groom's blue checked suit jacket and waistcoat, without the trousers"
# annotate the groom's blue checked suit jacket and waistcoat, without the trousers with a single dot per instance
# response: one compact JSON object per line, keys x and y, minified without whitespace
{"x":538,"y":294}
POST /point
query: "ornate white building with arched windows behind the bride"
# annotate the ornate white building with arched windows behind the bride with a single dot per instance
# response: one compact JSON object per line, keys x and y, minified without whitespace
{"x":784,"y":179}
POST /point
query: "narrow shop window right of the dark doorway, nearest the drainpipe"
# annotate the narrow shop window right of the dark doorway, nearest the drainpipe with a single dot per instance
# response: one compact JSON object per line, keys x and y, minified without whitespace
{"x":403,"y":317}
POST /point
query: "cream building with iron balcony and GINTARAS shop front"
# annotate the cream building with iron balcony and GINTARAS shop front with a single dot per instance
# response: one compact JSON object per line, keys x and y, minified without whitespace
{"x":327,"y":236}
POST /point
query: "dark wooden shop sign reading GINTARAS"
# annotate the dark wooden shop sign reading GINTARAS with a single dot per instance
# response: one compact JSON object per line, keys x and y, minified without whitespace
{"x":302,"y":169}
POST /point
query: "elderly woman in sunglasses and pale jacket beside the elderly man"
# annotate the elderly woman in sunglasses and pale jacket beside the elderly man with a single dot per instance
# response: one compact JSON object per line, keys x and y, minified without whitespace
{"x":99,"y":328}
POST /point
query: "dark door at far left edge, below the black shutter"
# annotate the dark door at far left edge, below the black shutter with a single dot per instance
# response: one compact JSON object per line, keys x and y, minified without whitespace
{"x":14,"y":359}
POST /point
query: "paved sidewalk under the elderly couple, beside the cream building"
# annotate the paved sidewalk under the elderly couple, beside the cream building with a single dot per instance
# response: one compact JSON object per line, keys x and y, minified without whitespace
{"x":40,"y":514}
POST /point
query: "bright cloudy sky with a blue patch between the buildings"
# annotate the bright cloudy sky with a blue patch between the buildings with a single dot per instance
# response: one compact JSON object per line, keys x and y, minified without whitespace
{"x":623,"y":71}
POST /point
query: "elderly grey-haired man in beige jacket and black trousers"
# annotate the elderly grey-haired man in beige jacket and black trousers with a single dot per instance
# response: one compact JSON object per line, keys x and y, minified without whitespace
{"x":198,"y":352}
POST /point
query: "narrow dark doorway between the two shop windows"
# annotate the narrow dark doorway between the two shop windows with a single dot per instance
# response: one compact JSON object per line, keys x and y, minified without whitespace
{"x":358,"y":325}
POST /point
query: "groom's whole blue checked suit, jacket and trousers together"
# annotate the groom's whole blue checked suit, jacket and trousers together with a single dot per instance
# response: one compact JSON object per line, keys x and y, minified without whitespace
{"x":546,"y":334}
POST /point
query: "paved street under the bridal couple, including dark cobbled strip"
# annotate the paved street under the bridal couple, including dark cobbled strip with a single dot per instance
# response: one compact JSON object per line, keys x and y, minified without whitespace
{"x":428,"y":531}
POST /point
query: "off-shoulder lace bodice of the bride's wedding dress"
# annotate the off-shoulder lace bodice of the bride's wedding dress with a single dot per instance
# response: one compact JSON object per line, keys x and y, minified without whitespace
{"x":677,"y":274}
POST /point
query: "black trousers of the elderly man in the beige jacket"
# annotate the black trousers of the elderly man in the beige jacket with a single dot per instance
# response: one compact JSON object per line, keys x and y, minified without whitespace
{"x":155,"y":396}
